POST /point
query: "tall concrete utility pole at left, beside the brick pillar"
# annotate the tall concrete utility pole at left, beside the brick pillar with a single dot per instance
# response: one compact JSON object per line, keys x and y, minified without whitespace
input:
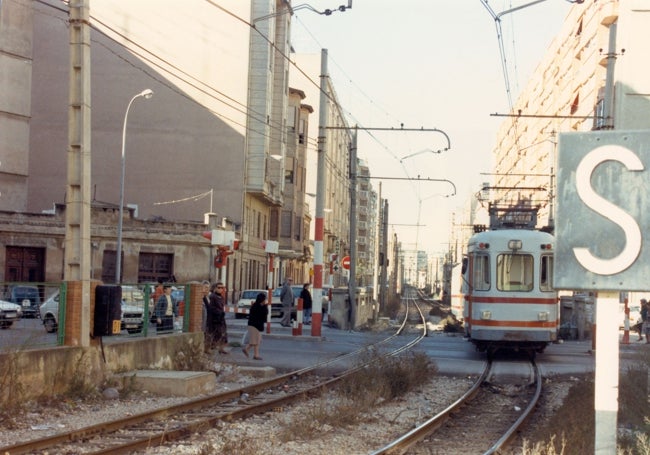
{"x":78,"y":194}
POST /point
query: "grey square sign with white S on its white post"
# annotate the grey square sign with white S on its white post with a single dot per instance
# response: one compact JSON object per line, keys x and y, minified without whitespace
{"x":603,"y":196}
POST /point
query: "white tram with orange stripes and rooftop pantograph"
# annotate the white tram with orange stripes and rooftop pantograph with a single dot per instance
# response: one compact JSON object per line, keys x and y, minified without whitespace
{"x":509,"y":300}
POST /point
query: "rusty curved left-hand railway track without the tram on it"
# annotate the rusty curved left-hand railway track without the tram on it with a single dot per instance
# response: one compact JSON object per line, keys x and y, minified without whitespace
{"x":162,"y":426}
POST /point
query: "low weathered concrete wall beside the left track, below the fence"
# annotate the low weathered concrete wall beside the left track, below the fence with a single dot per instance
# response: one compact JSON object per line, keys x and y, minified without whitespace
{"x":29,"y":374}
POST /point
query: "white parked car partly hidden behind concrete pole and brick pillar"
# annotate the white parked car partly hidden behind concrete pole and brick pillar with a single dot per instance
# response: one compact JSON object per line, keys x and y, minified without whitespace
{"x":132,"y":306}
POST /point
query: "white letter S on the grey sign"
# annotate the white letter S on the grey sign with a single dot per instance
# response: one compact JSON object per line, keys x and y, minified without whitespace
{"x":610,"y":211}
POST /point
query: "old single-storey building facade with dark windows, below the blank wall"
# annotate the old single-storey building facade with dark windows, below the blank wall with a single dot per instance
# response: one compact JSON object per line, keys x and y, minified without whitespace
{"x":192,"y":252}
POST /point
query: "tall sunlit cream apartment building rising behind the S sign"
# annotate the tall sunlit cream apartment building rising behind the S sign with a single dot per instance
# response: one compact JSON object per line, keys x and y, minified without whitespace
{"x":566,"y":94}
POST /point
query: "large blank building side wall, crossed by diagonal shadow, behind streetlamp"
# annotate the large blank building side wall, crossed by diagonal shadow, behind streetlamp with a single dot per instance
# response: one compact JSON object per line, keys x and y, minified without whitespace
{"x":187,"y":140}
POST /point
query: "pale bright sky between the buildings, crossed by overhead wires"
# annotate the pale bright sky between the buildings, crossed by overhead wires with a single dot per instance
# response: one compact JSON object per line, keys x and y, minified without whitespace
{"x":432,"y":64}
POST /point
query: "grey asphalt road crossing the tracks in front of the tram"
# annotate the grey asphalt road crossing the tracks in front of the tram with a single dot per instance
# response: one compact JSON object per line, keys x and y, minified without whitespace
{"x":285,"y":351}
